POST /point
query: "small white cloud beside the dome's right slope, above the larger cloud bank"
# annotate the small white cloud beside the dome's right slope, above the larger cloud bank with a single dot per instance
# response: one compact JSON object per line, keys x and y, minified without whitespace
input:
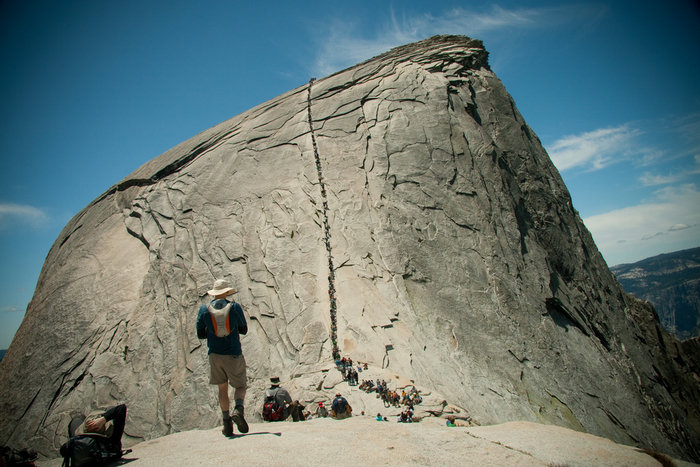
{"x":595,"y":149}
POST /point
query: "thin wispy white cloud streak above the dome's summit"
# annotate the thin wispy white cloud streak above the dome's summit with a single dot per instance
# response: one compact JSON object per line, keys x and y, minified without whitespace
{"x":342,"y":46}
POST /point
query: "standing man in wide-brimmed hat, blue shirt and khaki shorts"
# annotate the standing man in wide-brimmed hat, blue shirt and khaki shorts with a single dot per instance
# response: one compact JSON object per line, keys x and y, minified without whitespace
{"x":222,"y":322}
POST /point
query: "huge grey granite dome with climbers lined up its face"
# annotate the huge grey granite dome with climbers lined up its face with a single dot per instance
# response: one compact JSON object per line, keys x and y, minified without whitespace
{"x":456,"y":261}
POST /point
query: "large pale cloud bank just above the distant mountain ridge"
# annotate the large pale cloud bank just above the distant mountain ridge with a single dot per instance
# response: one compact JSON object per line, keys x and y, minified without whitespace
{"x":670,"y":222}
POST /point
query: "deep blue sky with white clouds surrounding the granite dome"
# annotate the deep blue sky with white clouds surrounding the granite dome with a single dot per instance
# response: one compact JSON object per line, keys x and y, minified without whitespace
{"x":90,"y":90}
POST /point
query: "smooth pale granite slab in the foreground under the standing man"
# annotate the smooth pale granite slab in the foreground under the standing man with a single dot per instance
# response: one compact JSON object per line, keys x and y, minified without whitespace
{"x":364,"y":441}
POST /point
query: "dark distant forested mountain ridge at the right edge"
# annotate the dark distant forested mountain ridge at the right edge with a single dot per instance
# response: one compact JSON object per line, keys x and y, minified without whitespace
{"x":670,"y":282}
